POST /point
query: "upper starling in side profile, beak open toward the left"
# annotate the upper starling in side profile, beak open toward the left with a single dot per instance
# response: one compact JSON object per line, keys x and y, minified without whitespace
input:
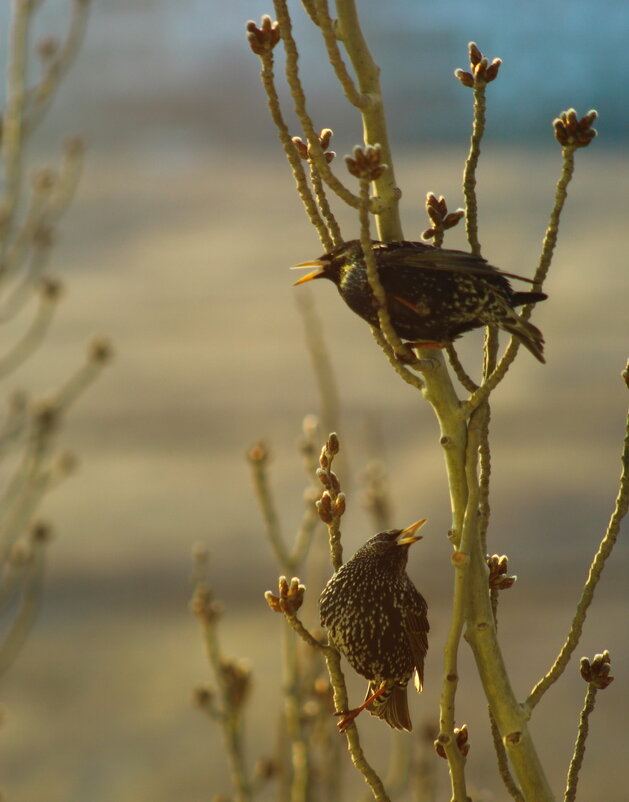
{"x":433,"y":294}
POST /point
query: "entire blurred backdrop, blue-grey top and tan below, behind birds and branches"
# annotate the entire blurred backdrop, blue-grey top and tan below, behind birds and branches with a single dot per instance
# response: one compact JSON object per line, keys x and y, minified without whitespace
{"x":177,"y":247}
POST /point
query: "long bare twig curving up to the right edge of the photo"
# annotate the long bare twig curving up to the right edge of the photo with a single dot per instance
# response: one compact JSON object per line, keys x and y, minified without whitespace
{"x":596,"y":569}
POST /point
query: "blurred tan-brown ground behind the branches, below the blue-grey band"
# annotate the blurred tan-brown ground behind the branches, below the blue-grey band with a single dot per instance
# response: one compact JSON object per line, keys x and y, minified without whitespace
{"x":183,"y":263}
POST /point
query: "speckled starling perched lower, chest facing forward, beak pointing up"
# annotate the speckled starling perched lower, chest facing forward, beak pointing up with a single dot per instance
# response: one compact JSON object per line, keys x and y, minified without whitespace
{"x":377,"y":619}
